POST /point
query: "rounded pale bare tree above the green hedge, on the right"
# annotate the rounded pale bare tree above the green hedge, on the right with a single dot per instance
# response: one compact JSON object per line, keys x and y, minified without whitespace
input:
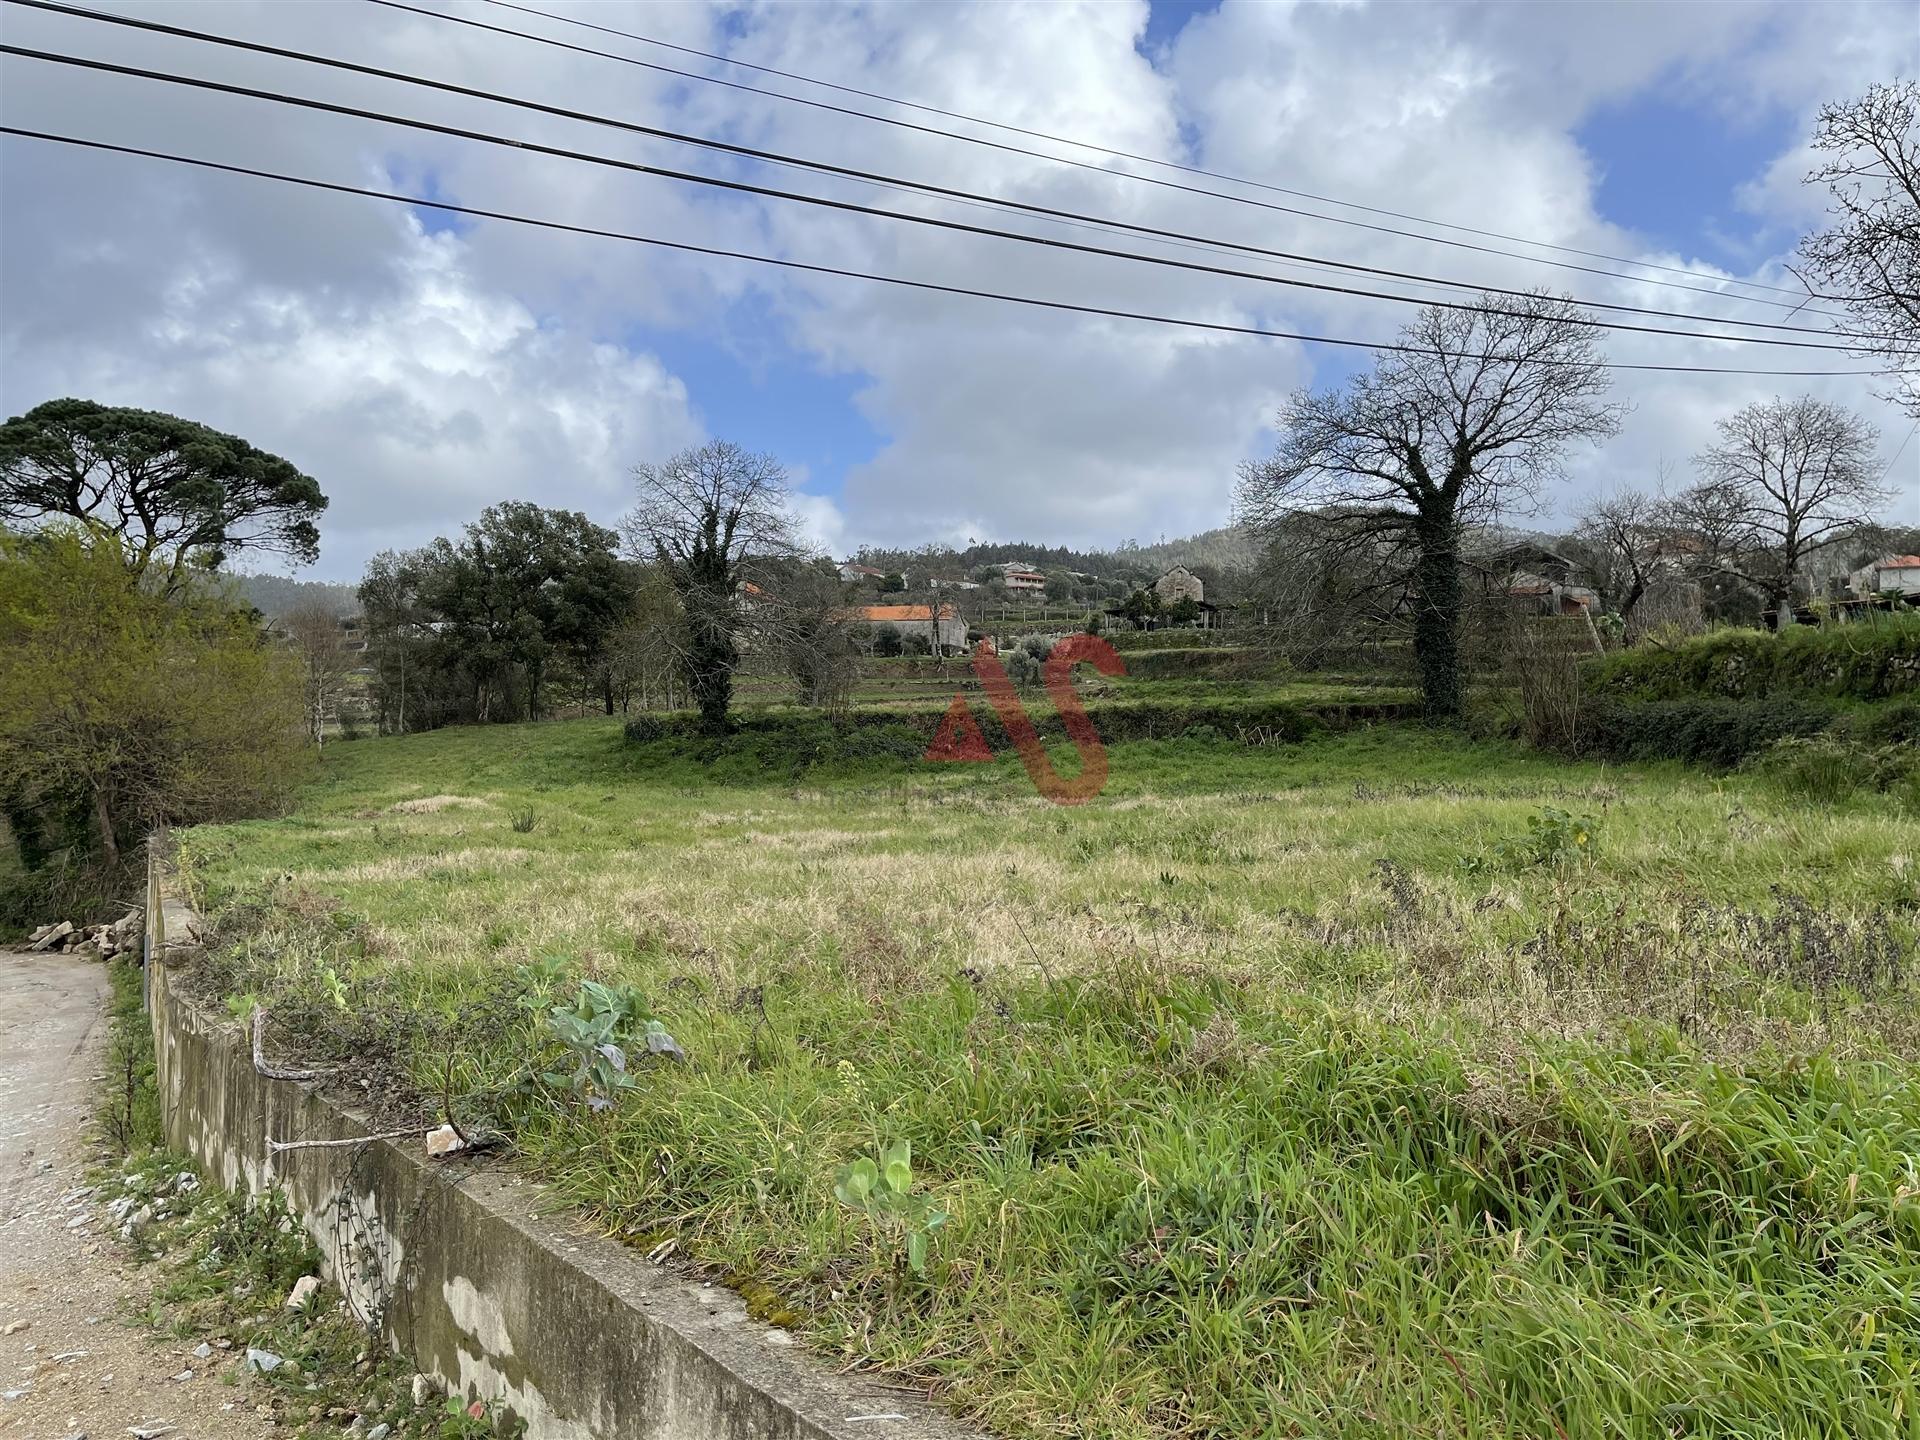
{"x":1788,"y":479}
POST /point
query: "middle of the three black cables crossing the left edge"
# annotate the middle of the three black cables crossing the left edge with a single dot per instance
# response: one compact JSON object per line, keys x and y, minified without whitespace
{"x":848,"y":206}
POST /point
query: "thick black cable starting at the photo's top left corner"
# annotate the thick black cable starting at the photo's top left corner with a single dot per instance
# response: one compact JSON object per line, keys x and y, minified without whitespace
{"x":890,"y":181}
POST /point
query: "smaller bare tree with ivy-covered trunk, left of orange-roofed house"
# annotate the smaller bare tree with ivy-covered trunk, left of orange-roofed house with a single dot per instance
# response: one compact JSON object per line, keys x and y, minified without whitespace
{"x":702,"y":516}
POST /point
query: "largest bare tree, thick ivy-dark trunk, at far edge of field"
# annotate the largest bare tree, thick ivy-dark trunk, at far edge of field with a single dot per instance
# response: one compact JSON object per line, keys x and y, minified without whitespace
{"x":1460,"y":427}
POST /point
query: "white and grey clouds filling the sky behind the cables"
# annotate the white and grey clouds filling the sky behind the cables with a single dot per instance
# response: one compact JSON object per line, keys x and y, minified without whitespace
{"x":423,"y":377}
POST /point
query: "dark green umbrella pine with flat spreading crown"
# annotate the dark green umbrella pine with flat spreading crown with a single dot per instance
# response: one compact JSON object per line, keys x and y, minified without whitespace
{"x":176,"y":492}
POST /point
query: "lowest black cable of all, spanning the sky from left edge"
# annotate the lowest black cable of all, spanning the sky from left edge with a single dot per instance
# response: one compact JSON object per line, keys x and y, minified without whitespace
{"x":934,"y":287}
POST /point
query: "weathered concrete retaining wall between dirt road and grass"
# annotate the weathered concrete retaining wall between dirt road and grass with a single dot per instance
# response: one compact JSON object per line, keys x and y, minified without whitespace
{"x":460,"y":1270}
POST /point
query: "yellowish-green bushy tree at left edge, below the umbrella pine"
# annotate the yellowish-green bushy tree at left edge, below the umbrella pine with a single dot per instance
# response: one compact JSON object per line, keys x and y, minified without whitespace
{"x":124,"y":706}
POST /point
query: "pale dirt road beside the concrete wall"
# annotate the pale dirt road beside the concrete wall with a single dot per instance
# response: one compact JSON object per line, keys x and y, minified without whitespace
{"x":70,"y":1364}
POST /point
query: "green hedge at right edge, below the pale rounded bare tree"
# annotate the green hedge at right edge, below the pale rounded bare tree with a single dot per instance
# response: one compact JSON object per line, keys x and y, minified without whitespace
{"x":1854,"y":661}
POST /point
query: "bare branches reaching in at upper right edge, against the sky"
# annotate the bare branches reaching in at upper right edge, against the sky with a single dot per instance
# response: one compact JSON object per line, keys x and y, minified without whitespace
{"x":1871,"y":258}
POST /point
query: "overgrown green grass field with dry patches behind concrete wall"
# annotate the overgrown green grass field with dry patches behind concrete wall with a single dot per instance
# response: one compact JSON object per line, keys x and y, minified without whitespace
{"x":1284,"y":1090}
